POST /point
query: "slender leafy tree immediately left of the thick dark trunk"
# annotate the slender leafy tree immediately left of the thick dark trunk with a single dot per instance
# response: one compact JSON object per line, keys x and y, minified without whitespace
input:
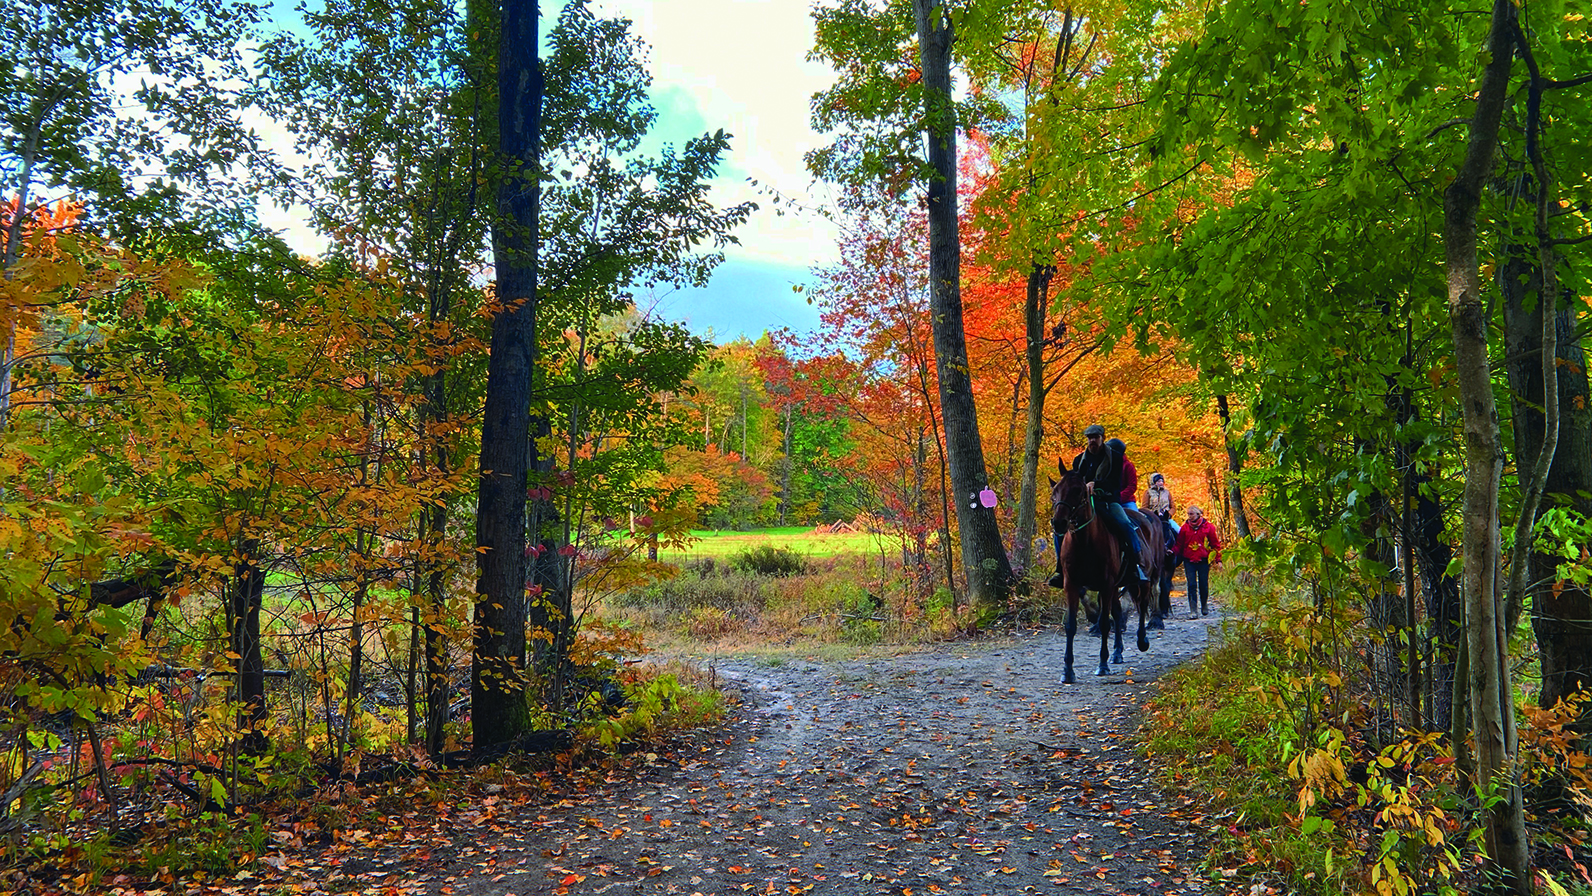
{"x":389,"y":114}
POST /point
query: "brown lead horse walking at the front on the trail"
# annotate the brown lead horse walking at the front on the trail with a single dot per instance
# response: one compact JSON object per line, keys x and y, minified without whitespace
{"x":1090,"y":558}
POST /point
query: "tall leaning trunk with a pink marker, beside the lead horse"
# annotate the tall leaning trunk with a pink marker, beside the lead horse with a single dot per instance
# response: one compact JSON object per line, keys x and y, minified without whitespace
{"x":983,"y":556}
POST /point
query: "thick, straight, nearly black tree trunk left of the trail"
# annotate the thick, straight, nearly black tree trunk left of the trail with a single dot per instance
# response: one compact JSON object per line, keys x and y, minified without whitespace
{"x":497,"y":684}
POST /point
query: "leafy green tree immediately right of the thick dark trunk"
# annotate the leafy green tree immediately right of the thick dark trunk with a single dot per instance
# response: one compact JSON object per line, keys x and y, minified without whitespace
{"x":628,"y":220}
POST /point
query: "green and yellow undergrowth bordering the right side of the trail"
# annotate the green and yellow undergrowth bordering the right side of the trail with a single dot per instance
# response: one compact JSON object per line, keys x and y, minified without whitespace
{"x":1303,"y":790}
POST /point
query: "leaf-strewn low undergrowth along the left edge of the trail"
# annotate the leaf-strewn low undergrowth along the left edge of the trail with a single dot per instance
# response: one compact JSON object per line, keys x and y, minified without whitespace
{"x":152,"y":840}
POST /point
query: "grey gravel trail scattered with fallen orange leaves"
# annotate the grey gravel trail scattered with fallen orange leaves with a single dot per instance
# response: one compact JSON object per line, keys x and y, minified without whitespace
{"x":962,"y":769}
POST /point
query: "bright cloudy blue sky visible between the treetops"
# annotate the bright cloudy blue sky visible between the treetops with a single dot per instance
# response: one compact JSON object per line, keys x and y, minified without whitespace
{"x":741,"y":66}
